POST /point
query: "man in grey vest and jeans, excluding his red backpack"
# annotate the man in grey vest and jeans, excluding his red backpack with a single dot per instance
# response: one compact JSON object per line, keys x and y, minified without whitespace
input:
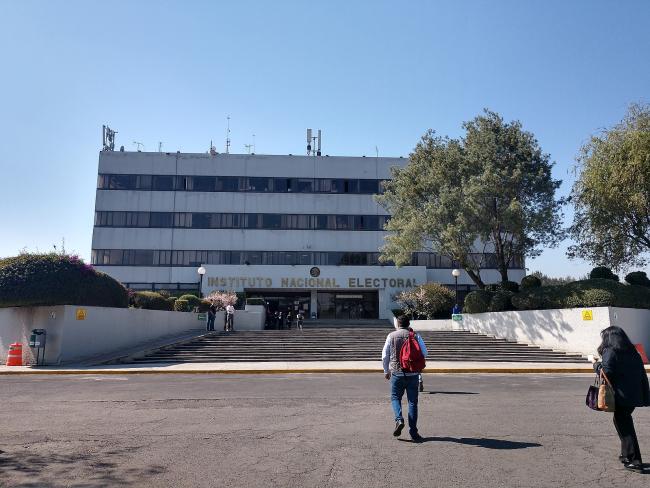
{"x":400,"y":380}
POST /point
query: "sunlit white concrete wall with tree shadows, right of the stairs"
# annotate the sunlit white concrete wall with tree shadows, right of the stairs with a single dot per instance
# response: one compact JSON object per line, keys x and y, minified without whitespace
{"x":562,"y":329}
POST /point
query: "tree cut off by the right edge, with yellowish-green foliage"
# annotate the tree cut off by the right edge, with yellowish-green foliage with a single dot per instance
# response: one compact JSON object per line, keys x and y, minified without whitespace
{"x":611,"y":194}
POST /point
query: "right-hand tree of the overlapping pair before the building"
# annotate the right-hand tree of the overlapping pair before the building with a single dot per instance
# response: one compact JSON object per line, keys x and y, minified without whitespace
{"x":511,"y":190}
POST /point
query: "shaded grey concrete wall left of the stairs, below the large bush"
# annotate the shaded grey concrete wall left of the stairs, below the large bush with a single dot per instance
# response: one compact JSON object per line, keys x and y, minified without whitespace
{"x":103,"y":331}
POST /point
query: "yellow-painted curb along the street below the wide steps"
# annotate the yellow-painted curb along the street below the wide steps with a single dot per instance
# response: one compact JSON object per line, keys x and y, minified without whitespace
{"x":300,"y":371}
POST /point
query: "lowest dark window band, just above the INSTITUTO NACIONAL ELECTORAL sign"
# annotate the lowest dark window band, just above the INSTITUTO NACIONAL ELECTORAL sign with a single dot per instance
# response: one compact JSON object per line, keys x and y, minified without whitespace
{"x":148,"y":257}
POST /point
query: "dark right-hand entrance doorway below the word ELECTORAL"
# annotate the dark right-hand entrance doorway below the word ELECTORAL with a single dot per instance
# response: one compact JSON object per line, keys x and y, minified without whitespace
{"x":348,"y":306}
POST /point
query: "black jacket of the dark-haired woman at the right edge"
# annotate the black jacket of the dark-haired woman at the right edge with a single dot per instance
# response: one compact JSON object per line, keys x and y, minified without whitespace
{"x":628,"y":377}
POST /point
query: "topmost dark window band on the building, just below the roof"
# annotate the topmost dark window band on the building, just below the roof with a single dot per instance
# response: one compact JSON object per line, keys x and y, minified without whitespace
{"x":239,"y":183}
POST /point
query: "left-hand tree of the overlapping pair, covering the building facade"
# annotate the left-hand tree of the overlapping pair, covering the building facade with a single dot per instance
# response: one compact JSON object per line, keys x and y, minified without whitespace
{"x":428,"y":209}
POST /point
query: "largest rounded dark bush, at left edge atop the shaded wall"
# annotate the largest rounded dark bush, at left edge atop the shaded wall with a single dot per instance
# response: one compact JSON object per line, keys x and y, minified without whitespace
{"x":57,"y":279}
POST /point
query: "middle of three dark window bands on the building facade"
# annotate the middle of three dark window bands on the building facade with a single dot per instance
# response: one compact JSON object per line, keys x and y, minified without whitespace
{"x":203,"y":220}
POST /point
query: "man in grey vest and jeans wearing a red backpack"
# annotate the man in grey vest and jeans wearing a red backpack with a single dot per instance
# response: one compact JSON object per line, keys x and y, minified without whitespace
{"x":403,"y":359}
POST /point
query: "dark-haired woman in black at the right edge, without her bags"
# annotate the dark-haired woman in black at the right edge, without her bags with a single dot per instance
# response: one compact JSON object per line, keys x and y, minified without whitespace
{"x":624,"y":369}
